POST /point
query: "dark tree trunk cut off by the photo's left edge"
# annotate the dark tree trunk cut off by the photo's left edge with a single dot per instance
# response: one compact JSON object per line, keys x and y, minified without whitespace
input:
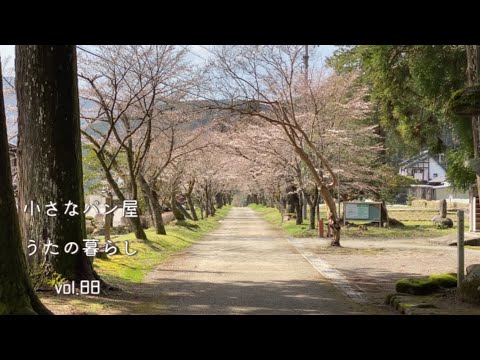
{"x":16,"y":291}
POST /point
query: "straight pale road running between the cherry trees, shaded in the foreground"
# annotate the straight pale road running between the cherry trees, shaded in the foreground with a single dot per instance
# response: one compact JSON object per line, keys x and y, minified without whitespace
{"x":245,"y":267}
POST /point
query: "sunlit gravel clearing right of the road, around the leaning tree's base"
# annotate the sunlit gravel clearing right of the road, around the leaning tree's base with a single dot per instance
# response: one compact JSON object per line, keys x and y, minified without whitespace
{"x":374,"y":265}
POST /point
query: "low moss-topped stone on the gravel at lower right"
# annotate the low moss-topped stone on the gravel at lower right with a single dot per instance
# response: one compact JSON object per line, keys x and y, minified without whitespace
{"x":426,"y":285}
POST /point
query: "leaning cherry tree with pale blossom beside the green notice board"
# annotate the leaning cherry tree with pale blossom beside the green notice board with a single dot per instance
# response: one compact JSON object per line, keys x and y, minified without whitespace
{"x":269,"y":83}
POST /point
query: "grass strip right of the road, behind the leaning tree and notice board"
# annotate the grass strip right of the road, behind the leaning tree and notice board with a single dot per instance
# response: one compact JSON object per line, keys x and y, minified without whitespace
{"x":419,"y":228}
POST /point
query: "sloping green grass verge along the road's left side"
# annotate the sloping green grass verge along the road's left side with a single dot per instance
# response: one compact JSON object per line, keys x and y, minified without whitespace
{"x":123,"y":268}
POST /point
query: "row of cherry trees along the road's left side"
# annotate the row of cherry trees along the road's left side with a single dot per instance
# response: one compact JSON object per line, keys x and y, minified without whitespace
{"x":142,"y":116}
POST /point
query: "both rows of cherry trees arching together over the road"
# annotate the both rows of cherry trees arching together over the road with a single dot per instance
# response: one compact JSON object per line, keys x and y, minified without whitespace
{"x":252,"y":116}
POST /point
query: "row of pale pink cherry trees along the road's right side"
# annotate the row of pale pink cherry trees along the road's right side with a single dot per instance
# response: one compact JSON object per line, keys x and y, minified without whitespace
{"x":297,"y":132}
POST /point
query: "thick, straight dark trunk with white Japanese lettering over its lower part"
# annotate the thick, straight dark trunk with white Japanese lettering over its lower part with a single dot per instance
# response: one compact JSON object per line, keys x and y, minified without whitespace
{"x":50,"y":167}
